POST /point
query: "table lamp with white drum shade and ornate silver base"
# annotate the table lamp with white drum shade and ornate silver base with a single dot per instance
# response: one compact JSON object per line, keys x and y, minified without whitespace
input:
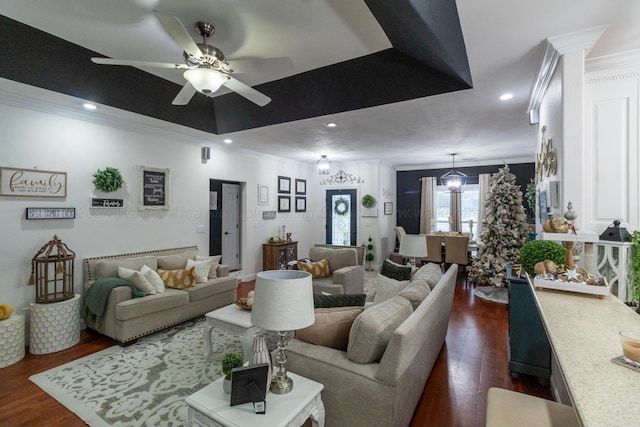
{"x":282,"y":301}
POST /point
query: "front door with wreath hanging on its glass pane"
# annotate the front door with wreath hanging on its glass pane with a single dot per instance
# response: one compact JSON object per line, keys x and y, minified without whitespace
{"x":342,"y":214}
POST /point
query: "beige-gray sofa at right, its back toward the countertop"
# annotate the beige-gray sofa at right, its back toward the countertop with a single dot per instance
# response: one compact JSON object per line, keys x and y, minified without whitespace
{"x":386,"y":391}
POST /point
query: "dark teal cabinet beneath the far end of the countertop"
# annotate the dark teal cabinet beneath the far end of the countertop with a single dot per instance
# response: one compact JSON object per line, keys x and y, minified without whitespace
{"x":528,"y":349}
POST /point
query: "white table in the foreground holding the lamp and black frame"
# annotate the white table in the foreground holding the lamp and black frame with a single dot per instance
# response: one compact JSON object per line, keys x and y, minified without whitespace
{"x":211,"y":407}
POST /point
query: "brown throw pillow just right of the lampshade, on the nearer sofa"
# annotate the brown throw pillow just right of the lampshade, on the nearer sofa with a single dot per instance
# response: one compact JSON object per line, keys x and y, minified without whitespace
{"x":331,"y":327}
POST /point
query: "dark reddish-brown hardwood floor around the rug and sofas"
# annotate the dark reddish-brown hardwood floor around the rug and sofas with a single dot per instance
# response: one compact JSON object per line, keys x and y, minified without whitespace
{"x":472,"y":360}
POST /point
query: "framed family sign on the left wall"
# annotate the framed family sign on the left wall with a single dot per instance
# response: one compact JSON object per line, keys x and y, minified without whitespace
{"x":32,"y":183}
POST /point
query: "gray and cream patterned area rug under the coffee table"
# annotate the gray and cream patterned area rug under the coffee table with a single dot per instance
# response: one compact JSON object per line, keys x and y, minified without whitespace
{"x":141,"y":385}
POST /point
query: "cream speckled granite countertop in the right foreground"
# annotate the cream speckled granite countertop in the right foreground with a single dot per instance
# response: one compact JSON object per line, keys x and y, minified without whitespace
{"x":583,"y":333}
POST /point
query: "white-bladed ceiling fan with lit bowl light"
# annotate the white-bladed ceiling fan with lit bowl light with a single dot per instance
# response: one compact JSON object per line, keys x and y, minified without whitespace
{"x":206,"y":66}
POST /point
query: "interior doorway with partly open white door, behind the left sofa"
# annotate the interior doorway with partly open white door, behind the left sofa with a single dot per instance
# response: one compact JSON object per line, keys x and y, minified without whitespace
{"x":224,"y":222}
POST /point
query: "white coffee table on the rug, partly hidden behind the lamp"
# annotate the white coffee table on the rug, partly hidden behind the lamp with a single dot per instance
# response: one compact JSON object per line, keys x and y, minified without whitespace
{"x":231,"y":318}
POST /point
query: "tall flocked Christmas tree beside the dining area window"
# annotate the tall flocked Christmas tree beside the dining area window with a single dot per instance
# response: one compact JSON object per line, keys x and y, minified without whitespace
{"x":504,"y":231}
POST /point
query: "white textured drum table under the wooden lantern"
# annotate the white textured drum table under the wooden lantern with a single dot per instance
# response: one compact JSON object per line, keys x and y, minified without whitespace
{"x":54,"y":326}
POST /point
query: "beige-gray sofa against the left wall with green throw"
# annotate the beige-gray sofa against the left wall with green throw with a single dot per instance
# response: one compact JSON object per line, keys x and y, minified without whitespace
{"x":126,"y":318}
